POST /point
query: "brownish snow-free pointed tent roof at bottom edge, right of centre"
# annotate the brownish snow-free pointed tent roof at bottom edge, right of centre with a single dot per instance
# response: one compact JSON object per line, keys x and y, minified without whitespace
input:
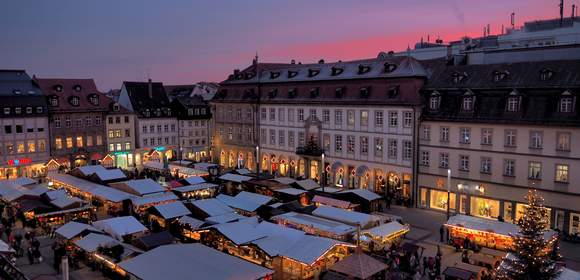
{"x":359,"y":266}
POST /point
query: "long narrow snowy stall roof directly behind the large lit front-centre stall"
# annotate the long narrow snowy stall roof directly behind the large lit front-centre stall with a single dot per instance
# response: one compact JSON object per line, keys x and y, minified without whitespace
{"x":316,"y":222}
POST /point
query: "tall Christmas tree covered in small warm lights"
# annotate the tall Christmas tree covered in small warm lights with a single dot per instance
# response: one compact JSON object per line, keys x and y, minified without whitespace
{"x":533,"y":255}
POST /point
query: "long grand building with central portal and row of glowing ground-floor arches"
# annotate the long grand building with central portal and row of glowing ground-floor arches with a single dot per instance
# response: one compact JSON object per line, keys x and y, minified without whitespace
{"x":344,"y":124}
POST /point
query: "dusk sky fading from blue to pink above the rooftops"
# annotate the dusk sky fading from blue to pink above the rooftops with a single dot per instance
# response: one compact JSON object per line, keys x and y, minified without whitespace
{"x":180,"y":42}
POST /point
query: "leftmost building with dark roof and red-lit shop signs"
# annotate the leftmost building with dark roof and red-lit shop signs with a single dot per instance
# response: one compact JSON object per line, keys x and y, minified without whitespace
{"x":24,"y":122}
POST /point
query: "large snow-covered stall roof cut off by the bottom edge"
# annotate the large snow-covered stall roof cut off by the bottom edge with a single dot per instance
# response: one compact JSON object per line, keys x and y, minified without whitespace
{"x":184,"y":261}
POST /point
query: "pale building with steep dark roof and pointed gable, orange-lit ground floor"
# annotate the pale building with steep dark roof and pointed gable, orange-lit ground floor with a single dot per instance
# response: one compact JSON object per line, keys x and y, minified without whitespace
{"x":156,"y":131}
